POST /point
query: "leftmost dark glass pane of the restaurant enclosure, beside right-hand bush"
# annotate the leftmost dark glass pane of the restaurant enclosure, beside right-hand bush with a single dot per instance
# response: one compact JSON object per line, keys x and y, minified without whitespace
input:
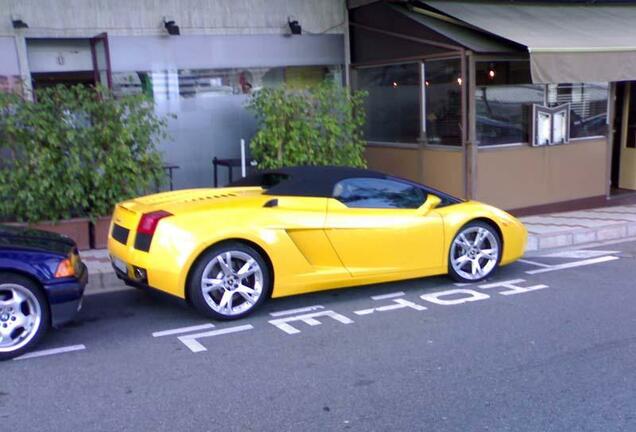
{"x":393,"y":102}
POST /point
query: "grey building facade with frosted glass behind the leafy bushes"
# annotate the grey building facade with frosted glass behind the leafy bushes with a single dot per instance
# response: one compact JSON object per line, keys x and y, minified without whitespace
{"x":202,"y":76}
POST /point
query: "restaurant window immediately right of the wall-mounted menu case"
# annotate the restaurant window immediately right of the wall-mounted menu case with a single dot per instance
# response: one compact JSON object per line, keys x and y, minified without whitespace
{"x":588,"y":107}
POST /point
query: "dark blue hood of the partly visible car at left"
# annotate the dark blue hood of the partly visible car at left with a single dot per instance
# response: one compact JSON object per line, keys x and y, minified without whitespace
{"x":26,"y":238}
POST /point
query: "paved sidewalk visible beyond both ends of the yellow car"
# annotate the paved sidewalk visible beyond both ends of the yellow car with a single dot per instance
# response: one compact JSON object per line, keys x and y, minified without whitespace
{"x":545,"y":232}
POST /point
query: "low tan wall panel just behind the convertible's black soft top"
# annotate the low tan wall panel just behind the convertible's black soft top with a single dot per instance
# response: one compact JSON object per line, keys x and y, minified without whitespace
{"x":439,"y":168}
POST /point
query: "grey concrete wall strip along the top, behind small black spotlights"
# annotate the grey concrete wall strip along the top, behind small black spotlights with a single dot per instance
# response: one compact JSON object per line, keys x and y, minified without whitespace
{"x":84,"y":18}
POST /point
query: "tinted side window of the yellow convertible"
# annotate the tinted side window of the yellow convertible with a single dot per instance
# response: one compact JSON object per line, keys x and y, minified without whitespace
{"x":378,"y":193}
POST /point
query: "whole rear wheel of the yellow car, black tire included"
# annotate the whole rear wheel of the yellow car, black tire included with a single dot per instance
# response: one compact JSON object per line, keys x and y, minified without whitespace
{"x":225,"y":294}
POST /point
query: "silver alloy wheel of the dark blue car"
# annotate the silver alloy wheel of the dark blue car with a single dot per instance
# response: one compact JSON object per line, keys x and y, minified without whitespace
{"x":20,"y":317}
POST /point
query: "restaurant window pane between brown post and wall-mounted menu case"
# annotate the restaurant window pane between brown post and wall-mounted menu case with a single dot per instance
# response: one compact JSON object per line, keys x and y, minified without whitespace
{"x":504,"y":97}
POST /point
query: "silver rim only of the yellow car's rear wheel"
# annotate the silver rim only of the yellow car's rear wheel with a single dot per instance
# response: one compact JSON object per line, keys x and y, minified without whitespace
{"x":232,"y":283}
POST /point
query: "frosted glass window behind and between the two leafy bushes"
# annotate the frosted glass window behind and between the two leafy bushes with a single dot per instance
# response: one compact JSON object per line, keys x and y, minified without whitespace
{"x":210,"y":118}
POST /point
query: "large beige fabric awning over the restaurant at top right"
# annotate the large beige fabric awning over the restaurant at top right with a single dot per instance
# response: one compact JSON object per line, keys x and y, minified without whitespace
{"x":567,"y":43}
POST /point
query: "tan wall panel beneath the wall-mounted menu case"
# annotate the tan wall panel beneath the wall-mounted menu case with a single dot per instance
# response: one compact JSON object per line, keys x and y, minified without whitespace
{"x":517,"y":177}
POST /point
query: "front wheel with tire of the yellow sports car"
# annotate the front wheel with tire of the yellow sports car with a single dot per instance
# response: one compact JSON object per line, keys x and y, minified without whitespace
{"x":471,"y":259}
